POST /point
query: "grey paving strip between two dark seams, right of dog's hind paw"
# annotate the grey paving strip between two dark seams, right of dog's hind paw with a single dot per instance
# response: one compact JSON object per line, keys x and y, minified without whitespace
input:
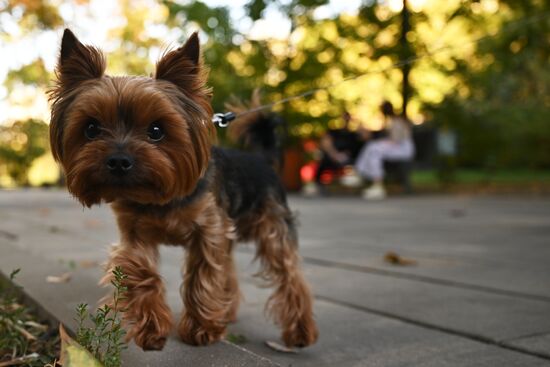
{"x":468,"y":311}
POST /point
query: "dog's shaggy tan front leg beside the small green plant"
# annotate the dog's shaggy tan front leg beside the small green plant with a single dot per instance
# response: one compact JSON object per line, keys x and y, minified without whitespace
{"x":147,"y":317}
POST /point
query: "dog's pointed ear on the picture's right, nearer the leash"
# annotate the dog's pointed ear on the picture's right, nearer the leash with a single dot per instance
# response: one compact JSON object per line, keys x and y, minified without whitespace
{"x":182,"y":66}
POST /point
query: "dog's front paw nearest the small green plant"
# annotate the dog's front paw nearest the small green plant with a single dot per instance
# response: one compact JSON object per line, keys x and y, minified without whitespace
{"x":151,"y":331}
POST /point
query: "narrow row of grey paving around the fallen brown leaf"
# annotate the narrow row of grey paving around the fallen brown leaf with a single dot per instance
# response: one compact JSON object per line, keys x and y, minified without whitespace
{"x":524,"y":281}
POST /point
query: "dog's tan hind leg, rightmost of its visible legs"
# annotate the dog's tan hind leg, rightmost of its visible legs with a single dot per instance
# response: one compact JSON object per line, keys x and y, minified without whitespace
{"x":291,"y":304}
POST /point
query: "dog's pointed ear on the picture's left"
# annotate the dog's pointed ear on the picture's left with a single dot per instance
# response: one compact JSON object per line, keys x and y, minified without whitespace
{"x":77,"y":62}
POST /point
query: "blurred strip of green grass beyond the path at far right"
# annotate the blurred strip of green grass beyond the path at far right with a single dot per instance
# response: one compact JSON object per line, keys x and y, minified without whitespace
{"x":476,"y":177}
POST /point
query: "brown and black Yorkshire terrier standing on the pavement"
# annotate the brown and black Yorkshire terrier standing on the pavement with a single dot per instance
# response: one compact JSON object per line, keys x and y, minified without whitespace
{"x":145,"y":145}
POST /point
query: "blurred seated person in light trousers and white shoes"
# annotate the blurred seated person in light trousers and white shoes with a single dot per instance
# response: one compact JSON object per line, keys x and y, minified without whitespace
{"x":397,"y":146}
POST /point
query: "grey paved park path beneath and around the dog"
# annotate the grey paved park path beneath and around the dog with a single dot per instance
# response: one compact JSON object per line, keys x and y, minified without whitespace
{"x":477,"y":295}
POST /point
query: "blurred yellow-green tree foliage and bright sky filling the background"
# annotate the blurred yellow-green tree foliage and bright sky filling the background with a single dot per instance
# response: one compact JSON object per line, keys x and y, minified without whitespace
{"x":493,"y":94}
